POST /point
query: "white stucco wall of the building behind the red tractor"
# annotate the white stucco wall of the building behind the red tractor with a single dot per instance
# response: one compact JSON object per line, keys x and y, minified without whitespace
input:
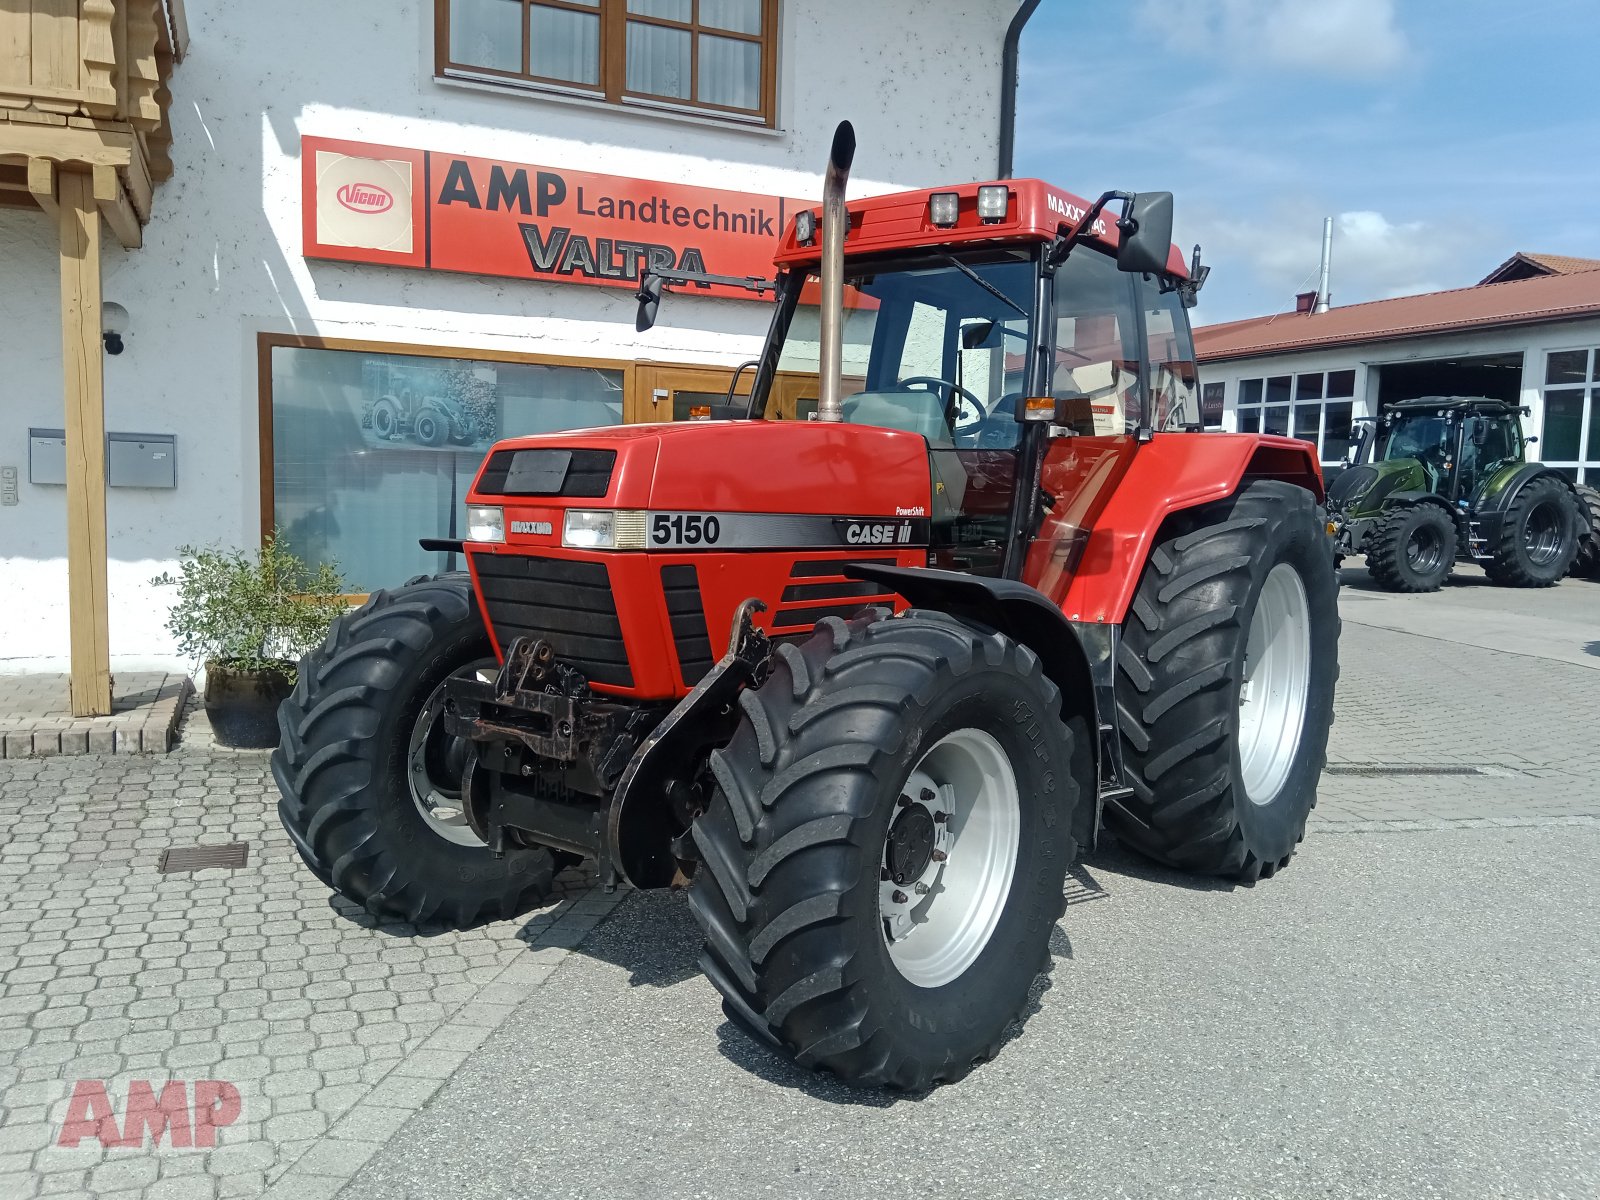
{"x":921,"y":79}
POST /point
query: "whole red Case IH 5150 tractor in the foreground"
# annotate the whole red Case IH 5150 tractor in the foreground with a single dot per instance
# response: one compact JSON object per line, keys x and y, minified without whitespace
{"x":686,"y":650}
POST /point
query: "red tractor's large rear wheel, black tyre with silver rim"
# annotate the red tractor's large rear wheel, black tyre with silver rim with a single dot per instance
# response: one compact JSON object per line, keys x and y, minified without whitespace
{"x":1238,"y":607}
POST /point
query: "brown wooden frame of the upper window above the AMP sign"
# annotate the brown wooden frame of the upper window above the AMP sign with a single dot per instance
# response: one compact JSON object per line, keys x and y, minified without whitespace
{"x":614,"y":63}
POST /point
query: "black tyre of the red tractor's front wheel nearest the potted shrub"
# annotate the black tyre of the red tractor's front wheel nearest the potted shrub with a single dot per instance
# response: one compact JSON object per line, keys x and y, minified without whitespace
{"x":343,"y":766}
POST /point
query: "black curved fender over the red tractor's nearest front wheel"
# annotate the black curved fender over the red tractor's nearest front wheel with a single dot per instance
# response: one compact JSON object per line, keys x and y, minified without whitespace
{"x":1078,"y":662}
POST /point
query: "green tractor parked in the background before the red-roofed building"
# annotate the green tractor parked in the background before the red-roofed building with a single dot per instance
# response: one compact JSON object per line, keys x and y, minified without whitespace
{"x":1441,"y":479}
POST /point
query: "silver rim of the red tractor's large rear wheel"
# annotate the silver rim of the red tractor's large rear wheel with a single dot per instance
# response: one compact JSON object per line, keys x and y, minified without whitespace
{"x":1276,"y":686}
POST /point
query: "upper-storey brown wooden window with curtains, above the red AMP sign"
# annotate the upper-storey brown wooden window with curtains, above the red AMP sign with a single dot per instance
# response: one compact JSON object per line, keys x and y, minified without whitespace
{"x":711,"y":57}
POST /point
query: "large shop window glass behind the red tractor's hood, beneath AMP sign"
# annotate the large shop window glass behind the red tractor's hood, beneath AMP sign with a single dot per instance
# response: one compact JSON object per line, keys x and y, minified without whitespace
{"x":374,"y":450}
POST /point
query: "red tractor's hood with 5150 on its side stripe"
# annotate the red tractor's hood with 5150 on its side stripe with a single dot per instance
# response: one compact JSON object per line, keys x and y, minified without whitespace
{"x":738,"y":473}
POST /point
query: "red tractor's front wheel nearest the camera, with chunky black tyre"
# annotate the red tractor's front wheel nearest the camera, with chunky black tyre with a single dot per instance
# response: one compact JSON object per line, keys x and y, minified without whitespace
{"x":796,"y":849}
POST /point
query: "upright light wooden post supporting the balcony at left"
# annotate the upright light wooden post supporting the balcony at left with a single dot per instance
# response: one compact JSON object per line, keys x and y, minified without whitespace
{"x":82,"y":359}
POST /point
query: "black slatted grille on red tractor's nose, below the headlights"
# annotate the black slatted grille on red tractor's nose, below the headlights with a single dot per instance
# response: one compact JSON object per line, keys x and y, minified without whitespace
{"x":570,"y":604}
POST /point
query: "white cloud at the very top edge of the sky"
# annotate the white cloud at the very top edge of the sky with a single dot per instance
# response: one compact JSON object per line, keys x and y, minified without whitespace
{"x":1327,"y":38}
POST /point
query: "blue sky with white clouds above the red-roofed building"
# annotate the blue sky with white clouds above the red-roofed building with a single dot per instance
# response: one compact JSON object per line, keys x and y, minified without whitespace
{"x":1441,"y":135}
